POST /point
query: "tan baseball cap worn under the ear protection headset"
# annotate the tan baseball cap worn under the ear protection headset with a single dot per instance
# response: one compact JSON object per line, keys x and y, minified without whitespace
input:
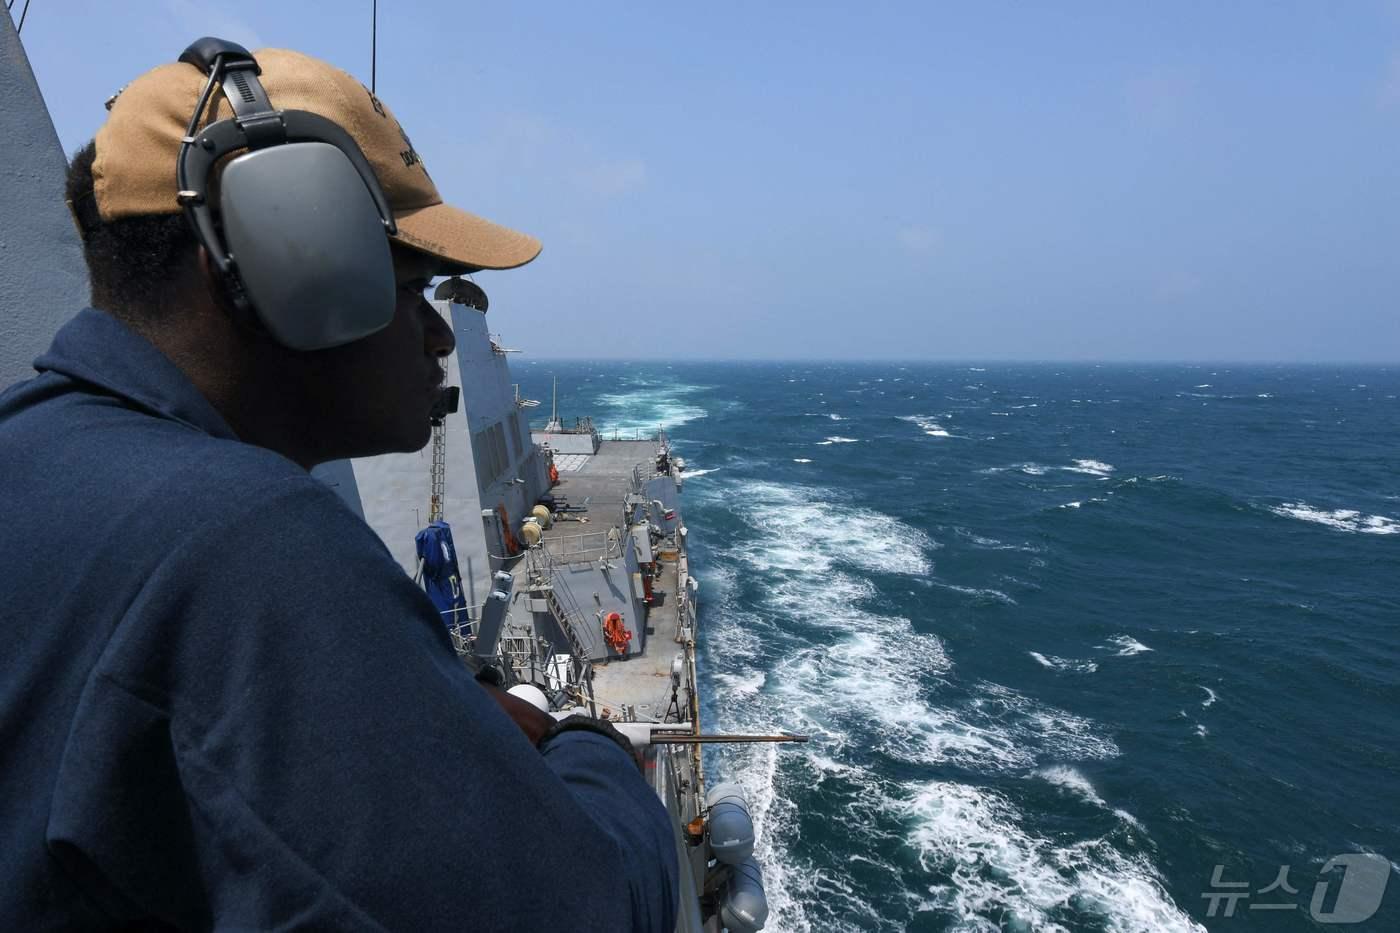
{"x":136,"y":151}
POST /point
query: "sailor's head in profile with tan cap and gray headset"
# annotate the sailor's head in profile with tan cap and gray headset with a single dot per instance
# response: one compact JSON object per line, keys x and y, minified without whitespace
{"x":285,"y":275}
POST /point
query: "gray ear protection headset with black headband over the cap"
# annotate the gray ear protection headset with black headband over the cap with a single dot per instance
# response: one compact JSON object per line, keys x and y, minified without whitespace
{"x":302,"y":232}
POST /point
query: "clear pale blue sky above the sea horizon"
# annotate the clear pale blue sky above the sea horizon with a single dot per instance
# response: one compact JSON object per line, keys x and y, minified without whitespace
{"x":1112,"y":181}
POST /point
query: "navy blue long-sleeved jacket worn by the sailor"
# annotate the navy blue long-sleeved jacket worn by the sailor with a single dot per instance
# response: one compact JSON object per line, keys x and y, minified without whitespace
{"x":223,"y":705}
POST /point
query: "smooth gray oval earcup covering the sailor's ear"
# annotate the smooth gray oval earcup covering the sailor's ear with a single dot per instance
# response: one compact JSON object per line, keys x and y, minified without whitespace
{"x":309,"y":244}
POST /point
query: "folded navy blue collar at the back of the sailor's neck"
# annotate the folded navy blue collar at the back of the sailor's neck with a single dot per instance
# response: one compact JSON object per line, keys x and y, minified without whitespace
{"x":99,"y":350}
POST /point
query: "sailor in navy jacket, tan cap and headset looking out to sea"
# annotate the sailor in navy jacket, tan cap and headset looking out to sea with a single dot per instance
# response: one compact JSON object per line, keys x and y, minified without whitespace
{"x":223,"y":705}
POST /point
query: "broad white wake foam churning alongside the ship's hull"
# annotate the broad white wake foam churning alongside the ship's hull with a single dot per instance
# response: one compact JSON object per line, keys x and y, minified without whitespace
{"x":862,"y":682}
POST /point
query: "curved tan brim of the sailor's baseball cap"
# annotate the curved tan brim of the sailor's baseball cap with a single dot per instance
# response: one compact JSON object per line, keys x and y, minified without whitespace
{"x":463,"y":242}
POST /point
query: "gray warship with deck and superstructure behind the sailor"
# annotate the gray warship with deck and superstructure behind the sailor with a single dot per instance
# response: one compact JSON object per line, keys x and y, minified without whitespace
{"x":558,"y":558}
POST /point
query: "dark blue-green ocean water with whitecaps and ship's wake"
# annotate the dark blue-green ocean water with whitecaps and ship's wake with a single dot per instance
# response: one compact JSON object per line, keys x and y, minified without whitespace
{"x":1077,"y":645}
